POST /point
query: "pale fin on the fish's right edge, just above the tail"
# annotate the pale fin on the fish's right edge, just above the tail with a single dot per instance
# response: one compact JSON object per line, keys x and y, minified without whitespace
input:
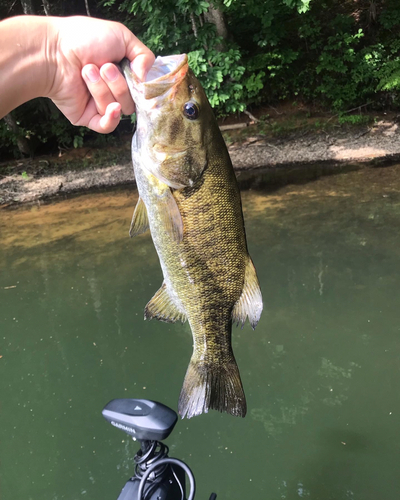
{"x":250,"y":302}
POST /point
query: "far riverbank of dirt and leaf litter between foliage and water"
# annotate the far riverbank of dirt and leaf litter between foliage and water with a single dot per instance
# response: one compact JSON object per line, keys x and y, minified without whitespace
{"x":304,"y":145}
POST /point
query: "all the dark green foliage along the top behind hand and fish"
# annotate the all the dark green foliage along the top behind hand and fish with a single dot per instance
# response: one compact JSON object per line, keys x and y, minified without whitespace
{"x":338,"y":53}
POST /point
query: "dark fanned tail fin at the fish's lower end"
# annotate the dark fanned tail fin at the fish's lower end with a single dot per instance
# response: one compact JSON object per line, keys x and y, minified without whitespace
{"x":212,"y":386}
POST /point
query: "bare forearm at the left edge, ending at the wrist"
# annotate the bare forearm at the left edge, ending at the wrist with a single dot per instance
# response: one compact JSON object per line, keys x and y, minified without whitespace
{"x":26,"y":48}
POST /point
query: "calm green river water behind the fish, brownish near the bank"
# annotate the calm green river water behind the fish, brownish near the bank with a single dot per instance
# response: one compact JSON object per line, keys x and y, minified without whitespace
{"x":321,"y":371}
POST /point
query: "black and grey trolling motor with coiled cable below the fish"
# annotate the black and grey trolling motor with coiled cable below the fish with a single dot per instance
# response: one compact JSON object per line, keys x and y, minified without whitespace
{"x":156,"y":476}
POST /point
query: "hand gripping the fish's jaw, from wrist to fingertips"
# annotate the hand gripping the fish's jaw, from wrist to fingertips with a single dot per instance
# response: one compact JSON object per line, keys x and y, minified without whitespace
{"x":87,"y":87}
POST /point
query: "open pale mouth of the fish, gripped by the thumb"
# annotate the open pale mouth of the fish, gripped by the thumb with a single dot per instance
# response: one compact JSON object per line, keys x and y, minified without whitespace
{"x":165,"y":73}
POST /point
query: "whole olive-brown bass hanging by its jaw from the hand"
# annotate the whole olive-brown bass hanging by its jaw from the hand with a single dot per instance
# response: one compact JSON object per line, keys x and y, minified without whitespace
{"x":190,"y":200}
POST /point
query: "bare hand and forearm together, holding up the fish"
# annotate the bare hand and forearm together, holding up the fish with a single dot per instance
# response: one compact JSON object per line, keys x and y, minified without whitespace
{"x":70,"y":60}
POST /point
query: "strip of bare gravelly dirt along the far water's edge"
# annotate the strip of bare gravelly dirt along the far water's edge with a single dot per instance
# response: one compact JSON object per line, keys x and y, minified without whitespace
{"x":252,"y":149}
